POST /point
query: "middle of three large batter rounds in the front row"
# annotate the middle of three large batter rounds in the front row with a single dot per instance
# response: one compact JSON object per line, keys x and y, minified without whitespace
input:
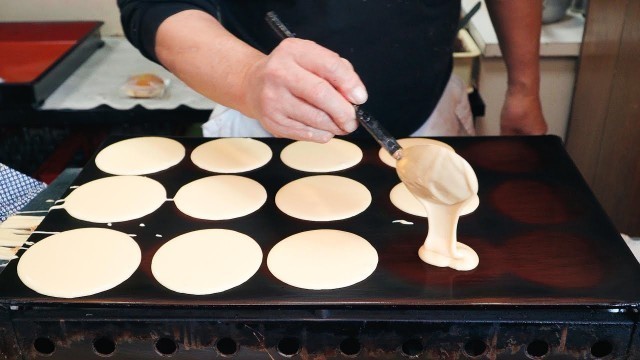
{"x":206,"y":261}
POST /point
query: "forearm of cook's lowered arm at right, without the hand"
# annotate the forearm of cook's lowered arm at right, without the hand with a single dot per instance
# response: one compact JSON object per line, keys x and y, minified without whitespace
{"x":518,"y":26}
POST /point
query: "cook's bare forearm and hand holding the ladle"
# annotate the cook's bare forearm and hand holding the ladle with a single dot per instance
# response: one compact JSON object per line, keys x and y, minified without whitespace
{"x":300,"y":91}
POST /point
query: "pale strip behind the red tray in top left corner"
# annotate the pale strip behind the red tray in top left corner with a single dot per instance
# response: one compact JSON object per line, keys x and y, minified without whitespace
{"x":59,"y":10}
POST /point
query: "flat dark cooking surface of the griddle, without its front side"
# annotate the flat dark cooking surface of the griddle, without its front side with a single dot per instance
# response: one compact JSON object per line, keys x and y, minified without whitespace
{"x":542,"y":238}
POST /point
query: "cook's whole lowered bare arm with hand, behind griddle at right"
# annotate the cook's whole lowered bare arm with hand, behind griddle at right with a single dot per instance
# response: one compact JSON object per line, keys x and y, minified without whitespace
{"x":518,"y":26}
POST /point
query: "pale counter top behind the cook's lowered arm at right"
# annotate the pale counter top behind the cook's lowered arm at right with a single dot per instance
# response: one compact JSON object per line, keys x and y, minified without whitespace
{"x":562,"y":38}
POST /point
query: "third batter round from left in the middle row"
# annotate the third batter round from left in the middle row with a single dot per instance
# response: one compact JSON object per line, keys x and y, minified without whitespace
{"x":323,"y":198}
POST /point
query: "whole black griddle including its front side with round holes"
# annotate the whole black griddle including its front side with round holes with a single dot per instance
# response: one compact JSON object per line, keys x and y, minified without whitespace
{"x":551,"y":263}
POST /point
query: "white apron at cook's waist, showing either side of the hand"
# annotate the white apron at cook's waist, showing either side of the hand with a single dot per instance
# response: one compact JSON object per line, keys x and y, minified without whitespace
{"x":451,"y":117}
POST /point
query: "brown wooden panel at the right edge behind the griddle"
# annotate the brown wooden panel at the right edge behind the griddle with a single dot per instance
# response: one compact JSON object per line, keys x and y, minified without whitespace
{"x":605,"y":122}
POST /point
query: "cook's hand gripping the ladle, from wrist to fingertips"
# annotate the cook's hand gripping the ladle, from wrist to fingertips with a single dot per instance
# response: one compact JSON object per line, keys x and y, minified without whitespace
{"x":304,"y":91}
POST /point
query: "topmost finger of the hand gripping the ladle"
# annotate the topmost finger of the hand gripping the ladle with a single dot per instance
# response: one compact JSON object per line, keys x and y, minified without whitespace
{"x":336,"y":70}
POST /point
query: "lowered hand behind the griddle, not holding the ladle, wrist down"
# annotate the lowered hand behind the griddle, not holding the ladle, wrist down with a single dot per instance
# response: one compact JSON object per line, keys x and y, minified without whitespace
{"x":522,"y":115}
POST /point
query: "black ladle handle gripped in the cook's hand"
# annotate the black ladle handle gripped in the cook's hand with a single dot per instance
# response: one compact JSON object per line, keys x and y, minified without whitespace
{"x":373,"y":127}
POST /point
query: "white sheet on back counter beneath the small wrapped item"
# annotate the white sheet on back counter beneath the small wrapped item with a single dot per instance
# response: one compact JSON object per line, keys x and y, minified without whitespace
{"x":99,"y":80}
